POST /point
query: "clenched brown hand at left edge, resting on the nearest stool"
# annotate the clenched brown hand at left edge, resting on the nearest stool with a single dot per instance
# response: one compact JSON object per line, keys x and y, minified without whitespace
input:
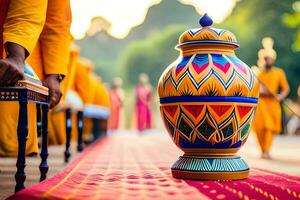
{"x":11,"y":70}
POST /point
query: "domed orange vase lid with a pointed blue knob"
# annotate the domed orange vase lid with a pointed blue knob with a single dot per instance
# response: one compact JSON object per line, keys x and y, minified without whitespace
{"x":207,"y":35}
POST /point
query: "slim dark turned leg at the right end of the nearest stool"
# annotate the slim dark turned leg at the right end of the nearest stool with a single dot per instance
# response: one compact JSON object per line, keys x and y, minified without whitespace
{"x":44,"y":152}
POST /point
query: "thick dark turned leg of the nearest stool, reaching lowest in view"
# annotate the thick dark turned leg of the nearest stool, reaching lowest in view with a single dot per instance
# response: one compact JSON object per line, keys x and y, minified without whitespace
{"x":22,"y":131}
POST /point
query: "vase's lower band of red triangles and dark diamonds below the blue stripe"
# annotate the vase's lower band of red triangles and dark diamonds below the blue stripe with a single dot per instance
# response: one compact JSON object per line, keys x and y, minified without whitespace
{"x":208,"y":125}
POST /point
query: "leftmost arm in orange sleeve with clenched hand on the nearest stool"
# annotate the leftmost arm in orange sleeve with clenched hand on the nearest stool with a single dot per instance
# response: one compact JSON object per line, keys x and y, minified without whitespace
{"x":23,"y":24}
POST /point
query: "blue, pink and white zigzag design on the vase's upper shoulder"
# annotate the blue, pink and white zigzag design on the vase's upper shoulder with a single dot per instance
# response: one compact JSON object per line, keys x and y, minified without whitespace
{"x":204,"y":67}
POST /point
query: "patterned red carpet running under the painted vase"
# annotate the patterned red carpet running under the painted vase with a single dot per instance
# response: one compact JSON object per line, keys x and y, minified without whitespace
{"x":131,"y":167}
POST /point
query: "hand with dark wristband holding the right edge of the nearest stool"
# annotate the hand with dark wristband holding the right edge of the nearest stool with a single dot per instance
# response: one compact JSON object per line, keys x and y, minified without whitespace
{"x":52,"y":82}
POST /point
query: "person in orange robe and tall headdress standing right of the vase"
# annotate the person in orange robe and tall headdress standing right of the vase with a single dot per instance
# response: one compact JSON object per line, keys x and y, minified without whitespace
{"x":273,"y":89}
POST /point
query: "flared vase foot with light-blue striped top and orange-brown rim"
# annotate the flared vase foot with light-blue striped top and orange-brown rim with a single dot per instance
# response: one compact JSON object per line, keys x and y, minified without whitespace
{"x":206,"y":168}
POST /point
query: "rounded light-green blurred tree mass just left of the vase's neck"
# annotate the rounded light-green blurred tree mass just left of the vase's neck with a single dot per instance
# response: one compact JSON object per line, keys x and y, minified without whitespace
{"x":151,"y":56}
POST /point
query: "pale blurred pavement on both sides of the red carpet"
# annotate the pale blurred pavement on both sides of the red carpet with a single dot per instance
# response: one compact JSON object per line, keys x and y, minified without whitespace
{"x":285,"y":153}
